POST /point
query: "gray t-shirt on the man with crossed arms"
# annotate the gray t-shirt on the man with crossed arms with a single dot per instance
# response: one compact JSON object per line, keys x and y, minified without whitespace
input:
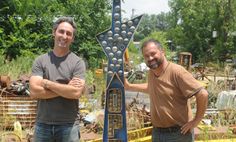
{"x":58,"y":110}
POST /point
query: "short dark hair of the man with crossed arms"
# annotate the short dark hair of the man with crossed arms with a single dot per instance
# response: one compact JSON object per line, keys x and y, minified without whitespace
{"x":69,"y":20}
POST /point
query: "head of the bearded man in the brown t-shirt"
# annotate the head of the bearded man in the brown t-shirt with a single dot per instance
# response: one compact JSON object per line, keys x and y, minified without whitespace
{"x":153,"y":53}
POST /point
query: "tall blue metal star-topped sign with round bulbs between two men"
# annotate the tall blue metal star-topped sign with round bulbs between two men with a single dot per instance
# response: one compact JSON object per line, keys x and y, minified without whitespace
{"x":114,"y":42}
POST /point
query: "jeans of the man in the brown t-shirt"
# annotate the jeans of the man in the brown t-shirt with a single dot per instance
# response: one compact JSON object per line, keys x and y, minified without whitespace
{"x":159,"y":135}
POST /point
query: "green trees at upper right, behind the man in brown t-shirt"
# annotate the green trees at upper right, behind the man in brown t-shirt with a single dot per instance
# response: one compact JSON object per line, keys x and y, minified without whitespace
{"x":194,"y":21}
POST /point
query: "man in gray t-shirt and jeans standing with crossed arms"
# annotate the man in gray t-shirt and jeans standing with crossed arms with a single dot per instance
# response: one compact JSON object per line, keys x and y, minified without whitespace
{"x":57,"y":82}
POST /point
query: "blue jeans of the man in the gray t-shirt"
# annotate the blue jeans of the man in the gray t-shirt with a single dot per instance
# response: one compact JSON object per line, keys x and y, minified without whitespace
{"x":56,"y":133}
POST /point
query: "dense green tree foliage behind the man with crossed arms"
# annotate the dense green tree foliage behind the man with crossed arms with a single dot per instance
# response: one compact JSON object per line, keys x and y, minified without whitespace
{"x":26,"y":25}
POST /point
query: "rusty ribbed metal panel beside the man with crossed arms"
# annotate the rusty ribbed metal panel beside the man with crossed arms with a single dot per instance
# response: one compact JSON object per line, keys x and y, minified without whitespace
{"x":17,"y":108}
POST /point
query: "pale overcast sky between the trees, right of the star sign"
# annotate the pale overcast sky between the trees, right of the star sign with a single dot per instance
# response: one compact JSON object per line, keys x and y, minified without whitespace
{"x":144,"y":6}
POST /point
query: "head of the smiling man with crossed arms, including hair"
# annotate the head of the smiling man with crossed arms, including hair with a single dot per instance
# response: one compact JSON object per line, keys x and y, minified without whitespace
{"x":64,"y":30}
